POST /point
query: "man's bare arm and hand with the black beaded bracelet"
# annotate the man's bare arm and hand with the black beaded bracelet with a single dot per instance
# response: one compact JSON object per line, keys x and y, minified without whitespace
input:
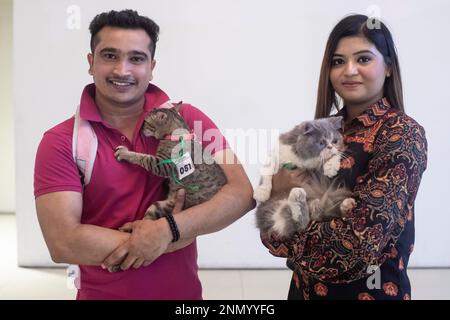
{"x":150,"y":239}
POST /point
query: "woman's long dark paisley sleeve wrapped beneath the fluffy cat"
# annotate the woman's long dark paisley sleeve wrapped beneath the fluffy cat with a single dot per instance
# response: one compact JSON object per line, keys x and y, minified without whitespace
{"x":342,"y":249}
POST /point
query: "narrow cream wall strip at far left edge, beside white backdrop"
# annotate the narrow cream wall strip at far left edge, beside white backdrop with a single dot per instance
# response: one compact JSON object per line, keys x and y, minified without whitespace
{"x":7,"y":181}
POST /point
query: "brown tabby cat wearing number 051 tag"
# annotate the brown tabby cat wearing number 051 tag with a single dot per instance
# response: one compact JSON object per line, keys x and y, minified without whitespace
{"x":205,"y":177}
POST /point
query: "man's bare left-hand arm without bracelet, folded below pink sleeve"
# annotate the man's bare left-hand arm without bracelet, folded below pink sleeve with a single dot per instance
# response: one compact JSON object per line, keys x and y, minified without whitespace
{"x":67,"y":239}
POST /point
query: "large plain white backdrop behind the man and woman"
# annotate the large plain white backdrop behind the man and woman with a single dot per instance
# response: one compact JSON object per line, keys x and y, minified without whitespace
{"x":248,"y":64}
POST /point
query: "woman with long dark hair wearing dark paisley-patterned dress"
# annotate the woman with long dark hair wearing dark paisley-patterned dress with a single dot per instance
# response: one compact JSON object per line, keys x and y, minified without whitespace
{"x":364,"y":255}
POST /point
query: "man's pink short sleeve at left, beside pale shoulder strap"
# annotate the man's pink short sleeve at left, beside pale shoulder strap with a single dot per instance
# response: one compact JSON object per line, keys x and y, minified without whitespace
{"x":55,"y":169}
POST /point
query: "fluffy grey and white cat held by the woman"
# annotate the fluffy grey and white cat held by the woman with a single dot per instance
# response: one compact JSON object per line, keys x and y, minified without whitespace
{"x":315,"y":147}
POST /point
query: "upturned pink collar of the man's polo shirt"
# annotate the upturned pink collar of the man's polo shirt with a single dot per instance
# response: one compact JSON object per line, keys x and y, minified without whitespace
{"x":154,"y":97}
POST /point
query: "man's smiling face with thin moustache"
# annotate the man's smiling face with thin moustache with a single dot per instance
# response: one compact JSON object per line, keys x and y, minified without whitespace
{"x":121,"y":66}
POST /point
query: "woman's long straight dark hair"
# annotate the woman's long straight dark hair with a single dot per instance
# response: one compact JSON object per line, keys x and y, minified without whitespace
{"x":377,"y":33}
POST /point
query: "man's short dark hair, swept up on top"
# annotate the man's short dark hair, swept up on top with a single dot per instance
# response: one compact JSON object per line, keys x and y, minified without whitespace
{"x":126,"y":19}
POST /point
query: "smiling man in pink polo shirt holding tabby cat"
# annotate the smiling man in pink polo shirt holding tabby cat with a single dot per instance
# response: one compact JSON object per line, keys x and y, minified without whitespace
{"x":80,"y":223}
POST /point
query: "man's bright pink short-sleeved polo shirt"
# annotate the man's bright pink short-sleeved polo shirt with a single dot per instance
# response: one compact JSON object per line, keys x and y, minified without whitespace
{"x":118,"y":193}
